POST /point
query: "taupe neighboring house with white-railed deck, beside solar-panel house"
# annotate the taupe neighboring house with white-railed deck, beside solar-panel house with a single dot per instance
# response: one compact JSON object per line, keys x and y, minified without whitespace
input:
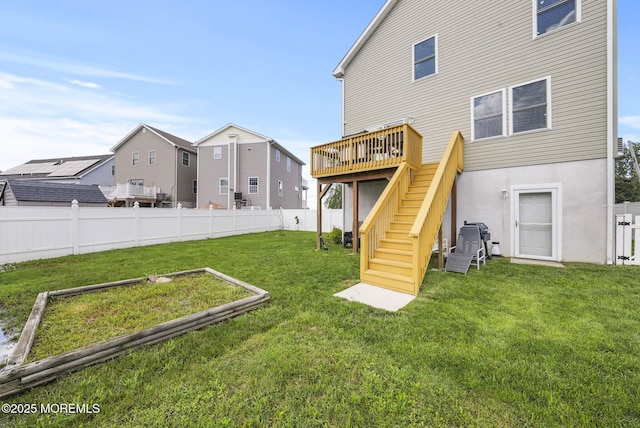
{"x":154,"y":168}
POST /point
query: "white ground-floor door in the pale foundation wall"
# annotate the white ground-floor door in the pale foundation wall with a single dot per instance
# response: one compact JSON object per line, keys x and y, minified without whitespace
{"x":536,"y":224}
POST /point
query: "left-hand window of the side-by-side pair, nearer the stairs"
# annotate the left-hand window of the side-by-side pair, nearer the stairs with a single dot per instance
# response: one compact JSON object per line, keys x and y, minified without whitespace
{"x":487,"y":112}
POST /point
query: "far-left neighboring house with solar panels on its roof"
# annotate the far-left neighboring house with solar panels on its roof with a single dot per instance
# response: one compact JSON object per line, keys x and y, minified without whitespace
{"x":98,"y":169}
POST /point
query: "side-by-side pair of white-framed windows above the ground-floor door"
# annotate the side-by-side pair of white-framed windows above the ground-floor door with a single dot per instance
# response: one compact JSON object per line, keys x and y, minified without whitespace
{"x":529,"y":110}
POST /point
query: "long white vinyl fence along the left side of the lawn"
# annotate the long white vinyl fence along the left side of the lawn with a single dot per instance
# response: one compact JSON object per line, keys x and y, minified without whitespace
{"x":29,"y":233}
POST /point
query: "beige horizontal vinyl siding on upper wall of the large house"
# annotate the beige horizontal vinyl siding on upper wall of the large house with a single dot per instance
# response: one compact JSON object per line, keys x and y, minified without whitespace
{"x":378,"y":85}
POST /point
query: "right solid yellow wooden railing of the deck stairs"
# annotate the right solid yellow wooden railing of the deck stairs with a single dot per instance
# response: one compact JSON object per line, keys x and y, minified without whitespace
{"x":429,"y":217}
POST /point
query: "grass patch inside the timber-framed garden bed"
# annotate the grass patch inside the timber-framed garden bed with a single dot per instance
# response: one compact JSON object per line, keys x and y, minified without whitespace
{"x":73,"y":322}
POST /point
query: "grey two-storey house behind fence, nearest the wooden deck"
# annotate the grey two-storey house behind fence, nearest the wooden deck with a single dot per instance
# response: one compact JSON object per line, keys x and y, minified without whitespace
{"x":238,"y":168}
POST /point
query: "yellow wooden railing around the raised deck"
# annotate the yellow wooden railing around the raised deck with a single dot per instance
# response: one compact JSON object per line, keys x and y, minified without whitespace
{"x":384,"y":148}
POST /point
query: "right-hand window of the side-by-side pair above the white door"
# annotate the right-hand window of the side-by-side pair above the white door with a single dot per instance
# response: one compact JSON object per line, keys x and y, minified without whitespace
{"x":530,"y":106}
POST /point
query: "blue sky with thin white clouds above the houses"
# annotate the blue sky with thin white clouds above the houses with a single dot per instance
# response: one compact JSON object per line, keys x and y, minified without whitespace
{"x":76,"y":76}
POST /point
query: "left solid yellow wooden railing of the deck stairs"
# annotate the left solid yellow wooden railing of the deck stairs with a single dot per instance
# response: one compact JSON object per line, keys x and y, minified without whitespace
{"x":379,"y":219}
